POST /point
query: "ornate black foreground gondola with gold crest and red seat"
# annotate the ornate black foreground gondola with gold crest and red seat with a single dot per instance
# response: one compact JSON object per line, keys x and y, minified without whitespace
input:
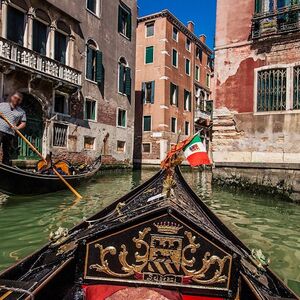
{"x":158,"y":242}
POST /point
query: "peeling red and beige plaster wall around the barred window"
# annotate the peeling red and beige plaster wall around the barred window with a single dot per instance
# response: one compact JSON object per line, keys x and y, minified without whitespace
{"x":240,"y":134}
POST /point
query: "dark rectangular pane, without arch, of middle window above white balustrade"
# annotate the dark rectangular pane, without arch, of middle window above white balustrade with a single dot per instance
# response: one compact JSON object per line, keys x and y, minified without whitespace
{"x":39,"y":37}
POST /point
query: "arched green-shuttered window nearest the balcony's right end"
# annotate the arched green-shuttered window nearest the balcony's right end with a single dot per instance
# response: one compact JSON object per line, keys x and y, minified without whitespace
{"x":94,"y":67}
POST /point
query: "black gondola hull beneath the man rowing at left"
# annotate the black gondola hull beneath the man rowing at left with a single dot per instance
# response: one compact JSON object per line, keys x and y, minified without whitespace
{"x":15,"y":181}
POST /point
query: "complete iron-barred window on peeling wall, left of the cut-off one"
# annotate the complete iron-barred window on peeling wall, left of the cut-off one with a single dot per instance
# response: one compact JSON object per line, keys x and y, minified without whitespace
{"x":271,"y":90}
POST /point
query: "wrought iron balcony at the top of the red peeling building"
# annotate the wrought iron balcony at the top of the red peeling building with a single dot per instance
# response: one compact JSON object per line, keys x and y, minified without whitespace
{"x":276,"y":22}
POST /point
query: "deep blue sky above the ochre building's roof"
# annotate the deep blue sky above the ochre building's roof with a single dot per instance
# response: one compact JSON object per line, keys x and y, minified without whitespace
{"x":201,"y":12}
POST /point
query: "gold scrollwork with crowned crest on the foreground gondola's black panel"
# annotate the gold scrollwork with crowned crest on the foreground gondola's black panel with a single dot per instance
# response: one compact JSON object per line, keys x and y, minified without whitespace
{"x":165,"y":252}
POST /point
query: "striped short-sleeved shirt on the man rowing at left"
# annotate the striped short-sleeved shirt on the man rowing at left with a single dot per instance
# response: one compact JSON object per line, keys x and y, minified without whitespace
{"x":14,"y":115}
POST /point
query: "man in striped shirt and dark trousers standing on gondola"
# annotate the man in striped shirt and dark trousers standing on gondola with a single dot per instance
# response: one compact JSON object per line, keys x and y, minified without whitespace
{"x":17,"y":116}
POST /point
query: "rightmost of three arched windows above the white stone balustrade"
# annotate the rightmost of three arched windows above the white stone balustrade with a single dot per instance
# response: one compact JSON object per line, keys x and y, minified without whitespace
{"x":61,"y":41}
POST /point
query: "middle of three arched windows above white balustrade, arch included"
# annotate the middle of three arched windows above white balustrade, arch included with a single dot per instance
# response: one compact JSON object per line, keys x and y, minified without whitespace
{"x":40,"y":31}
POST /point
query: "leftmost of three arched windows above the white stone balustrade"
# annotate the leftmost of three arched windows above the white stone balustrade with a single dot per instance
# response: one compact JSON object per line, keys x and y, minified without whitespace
{"x":16,"y":12}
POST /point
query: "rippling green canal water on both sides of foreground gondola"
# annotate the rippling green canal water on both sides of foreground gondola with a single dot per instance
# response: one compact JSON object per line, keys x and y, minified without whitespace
{"x":261,"y":222}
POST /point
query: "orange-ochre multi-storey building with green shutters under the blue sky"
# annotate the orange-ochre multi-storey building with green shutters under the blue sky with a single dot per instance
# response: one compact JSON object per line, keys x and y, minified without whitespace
{"x":173,"y":74}
